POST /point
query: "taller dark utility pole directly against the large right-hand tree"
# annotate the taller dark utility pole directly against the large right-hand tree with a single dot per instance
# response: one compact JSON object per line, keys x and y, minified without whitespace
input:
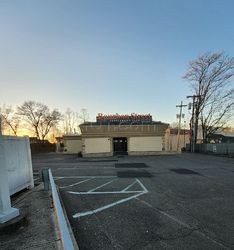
{"x":193,"y":122}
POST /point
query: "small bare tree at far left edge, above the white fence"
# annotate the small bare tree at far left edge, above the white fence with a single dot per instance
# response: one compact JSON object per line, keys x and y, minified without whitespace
{"x":10,"y":119}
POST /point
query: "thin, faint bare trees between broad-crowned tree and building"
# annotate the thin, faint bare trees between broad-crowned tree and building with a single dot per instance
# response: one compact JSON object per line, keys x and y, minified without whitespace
{"x":70,"y":122}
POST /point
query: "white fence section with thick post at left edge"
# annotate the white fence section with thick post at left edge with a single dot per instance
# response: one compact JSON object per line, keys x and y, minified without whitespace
{"x":15,"y":172}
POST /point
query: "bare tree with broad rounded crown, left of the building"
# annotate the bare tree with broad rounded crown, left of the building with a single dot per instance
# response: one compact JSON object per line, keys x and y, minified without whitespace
{"x":39,"y":117}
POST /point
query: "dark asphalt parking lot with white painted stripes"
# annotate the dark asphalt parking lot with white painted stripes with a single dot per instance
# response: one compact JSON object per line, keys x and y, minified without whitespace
{"x":181,"y":201}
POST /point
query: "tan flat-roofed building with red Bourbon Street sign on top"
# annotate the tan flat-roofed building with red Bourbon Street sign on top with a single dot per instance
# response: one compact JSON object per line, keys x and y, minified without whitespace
{"x":122,"y":134}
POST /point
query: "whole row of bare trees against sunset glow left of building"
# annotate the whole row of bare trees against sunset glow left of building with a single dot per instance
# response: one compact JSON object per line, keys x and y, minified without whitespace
{"x":39,"y":120}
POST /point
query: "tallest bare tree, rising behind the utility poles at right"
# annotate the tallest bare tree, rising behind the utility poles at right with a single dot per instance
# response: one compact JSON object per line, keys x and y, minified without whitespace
{"x":209,"y":76}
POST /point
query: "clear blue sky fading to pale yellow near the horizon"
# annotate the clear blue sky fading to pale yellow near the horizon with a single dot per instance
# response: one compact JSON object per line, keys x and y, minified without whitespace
{"x":109,"y":56}
